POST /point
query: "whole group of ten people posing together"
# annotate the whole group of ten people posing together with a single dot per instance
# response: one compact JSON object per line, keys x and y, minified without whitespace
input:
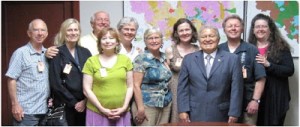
{"x":103,"y":79}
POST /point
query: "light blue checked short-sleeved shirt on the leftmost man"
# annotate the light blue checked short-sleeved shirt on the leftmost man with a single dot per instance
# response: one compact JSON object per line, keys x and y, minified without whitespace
{"x":32,"y":86}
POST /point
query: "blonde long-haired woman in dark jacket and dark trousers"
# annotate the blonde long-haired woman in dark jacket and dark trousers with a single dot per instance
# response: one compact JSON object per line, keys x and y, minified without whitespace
{"x":65,"y":73}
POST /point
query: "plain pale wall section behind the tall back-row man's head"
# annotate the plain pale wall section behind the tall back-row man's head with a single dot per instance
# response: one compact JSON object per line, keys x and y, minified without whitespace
{"x":88,"y":8}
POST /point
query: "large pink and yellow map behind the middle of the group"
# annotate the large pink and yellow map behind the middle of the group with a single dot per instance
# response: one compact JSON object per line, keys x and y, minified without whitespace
{"x":164,"y":14}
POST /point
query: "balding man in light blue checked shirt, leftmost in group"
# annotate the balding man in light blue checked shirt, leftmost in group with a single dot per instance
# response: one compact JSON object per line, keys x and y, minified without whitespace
{"x":28,"y":83}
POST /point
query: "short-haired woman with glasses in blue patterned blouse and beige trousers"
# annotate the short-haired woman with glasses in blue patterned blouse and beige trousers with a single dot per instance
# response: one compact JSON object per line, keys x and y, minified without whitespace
{"x":151,"y":76}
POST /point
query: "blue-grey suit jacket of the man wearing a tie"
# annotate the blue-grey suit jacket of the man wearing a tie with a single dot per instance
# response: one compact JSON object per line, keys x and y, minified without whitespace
{"x":212,"y":98}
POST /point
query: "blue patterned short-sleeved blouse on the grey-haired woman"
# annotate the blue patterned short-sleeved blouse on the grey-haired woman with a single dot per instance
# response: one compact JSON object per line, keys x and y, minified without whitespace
{"x":156,"y":78}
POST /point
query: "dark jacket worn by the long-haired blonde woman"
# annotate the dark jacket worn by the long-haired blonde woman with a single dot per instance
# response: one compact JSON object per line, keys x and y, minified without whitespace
{"x":67,"y":88}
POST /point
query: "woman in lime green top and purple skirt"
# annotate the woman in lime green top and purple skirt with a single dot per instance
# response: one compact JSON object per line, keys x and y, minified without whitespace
{"x":107,"y":83}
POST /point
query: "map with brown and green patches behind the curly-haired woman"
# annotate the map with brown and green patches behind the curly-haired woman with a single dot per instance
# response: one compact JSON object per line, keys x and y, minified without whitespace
{"x":286,"y":16}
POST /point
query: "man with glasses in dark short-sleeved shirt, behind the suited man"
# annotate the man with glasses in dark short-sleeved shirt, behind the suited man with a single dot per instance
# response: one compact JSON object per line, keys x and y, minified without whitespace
{"x":253,"y":73}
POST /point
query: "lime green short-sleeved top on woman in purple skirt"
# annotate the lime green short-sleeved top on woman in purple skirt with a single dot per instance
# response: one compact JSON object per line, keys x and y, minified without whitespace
{"x":111,"y":89}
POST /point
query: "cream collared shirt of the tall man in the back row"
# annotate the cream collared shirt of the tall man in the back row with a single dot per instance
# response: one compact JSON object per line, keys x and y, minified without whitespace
{"x":90,"y":42}
